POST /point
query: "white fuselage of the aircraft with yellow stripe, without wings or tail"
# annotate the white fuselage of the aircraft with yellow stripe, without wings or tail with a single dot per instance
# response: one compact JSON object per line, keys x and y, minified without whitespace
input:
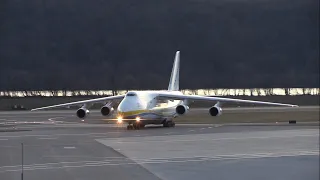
{"x":145,"y":105}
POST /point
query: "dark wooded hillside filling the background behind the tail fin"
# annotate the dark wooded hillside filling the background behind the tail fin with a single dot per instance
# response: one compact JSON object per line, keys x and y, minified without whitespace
{"x":113,"y":44}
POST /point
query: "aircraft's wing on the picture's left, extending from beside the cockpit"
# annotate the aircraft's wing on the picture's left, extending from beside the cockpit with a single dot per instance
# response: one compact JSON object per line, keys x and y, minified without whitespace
{"x":90,"y":101}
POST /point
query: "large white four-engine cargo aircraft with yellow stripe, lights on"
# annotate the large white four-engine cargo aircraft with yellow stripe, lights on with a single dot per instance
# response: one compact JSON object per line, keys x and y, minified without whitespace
{"x":139,"y":108}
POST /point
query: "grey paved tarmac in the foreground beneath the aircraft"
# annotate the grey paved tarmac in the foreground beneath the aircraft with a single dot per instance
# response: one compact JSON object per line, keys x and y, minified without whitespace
{"x":58,"y":146}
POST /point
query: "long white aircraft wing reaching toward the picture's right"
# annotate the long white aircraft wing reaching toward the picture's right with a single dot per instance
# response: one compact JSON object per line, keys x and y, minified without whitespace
{"x":218,"y":99}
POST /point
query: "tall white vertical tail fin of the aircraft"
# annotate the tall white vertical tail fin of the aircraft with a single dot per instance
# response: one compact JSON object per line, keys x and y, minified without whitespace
{"x":174,"y":79}
